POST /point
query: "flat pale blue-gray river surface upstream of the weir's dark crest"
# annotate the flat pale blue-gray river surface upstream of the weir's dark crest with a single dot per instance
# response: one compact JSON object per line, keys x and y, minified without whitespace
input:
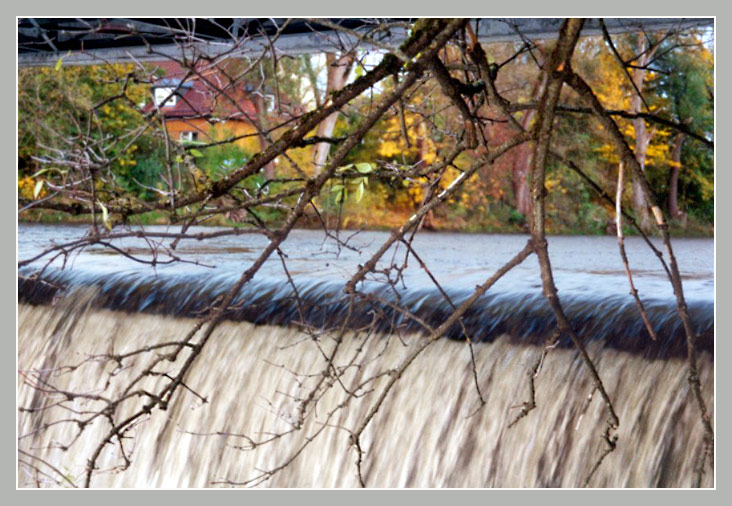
{"x":583,"y":265}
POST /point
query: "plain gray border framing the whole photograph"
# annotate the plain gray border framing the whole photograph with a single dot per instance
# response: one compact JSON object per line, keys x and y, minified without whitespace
{"x":373,"y":8}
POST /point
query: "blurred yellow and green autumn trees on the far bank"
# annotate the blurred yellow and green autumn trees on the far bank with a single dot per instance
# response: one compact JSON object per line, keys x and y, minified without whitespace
{"x":61,"y":106}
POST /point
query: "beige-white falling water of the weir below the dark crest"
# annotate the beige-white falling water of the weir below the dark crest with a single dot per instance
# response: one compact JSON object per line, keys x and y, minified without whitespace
{"x":431,"y":431}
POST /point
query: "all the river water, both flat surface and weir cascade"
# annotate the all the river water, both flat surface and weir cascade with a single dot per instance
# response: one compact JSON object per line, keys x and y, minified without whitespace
{"x":432,"y":430}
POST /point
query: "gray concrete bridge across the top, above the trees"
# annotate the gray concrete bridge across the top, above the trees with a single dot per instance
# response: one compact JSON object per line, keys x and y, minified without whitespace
{"x":42,"y":41}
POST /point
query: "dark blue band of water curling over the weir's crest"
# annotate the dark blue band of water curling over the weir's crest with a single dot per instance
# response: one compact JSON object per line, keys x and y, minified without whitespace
{"x":525,"y":317}
